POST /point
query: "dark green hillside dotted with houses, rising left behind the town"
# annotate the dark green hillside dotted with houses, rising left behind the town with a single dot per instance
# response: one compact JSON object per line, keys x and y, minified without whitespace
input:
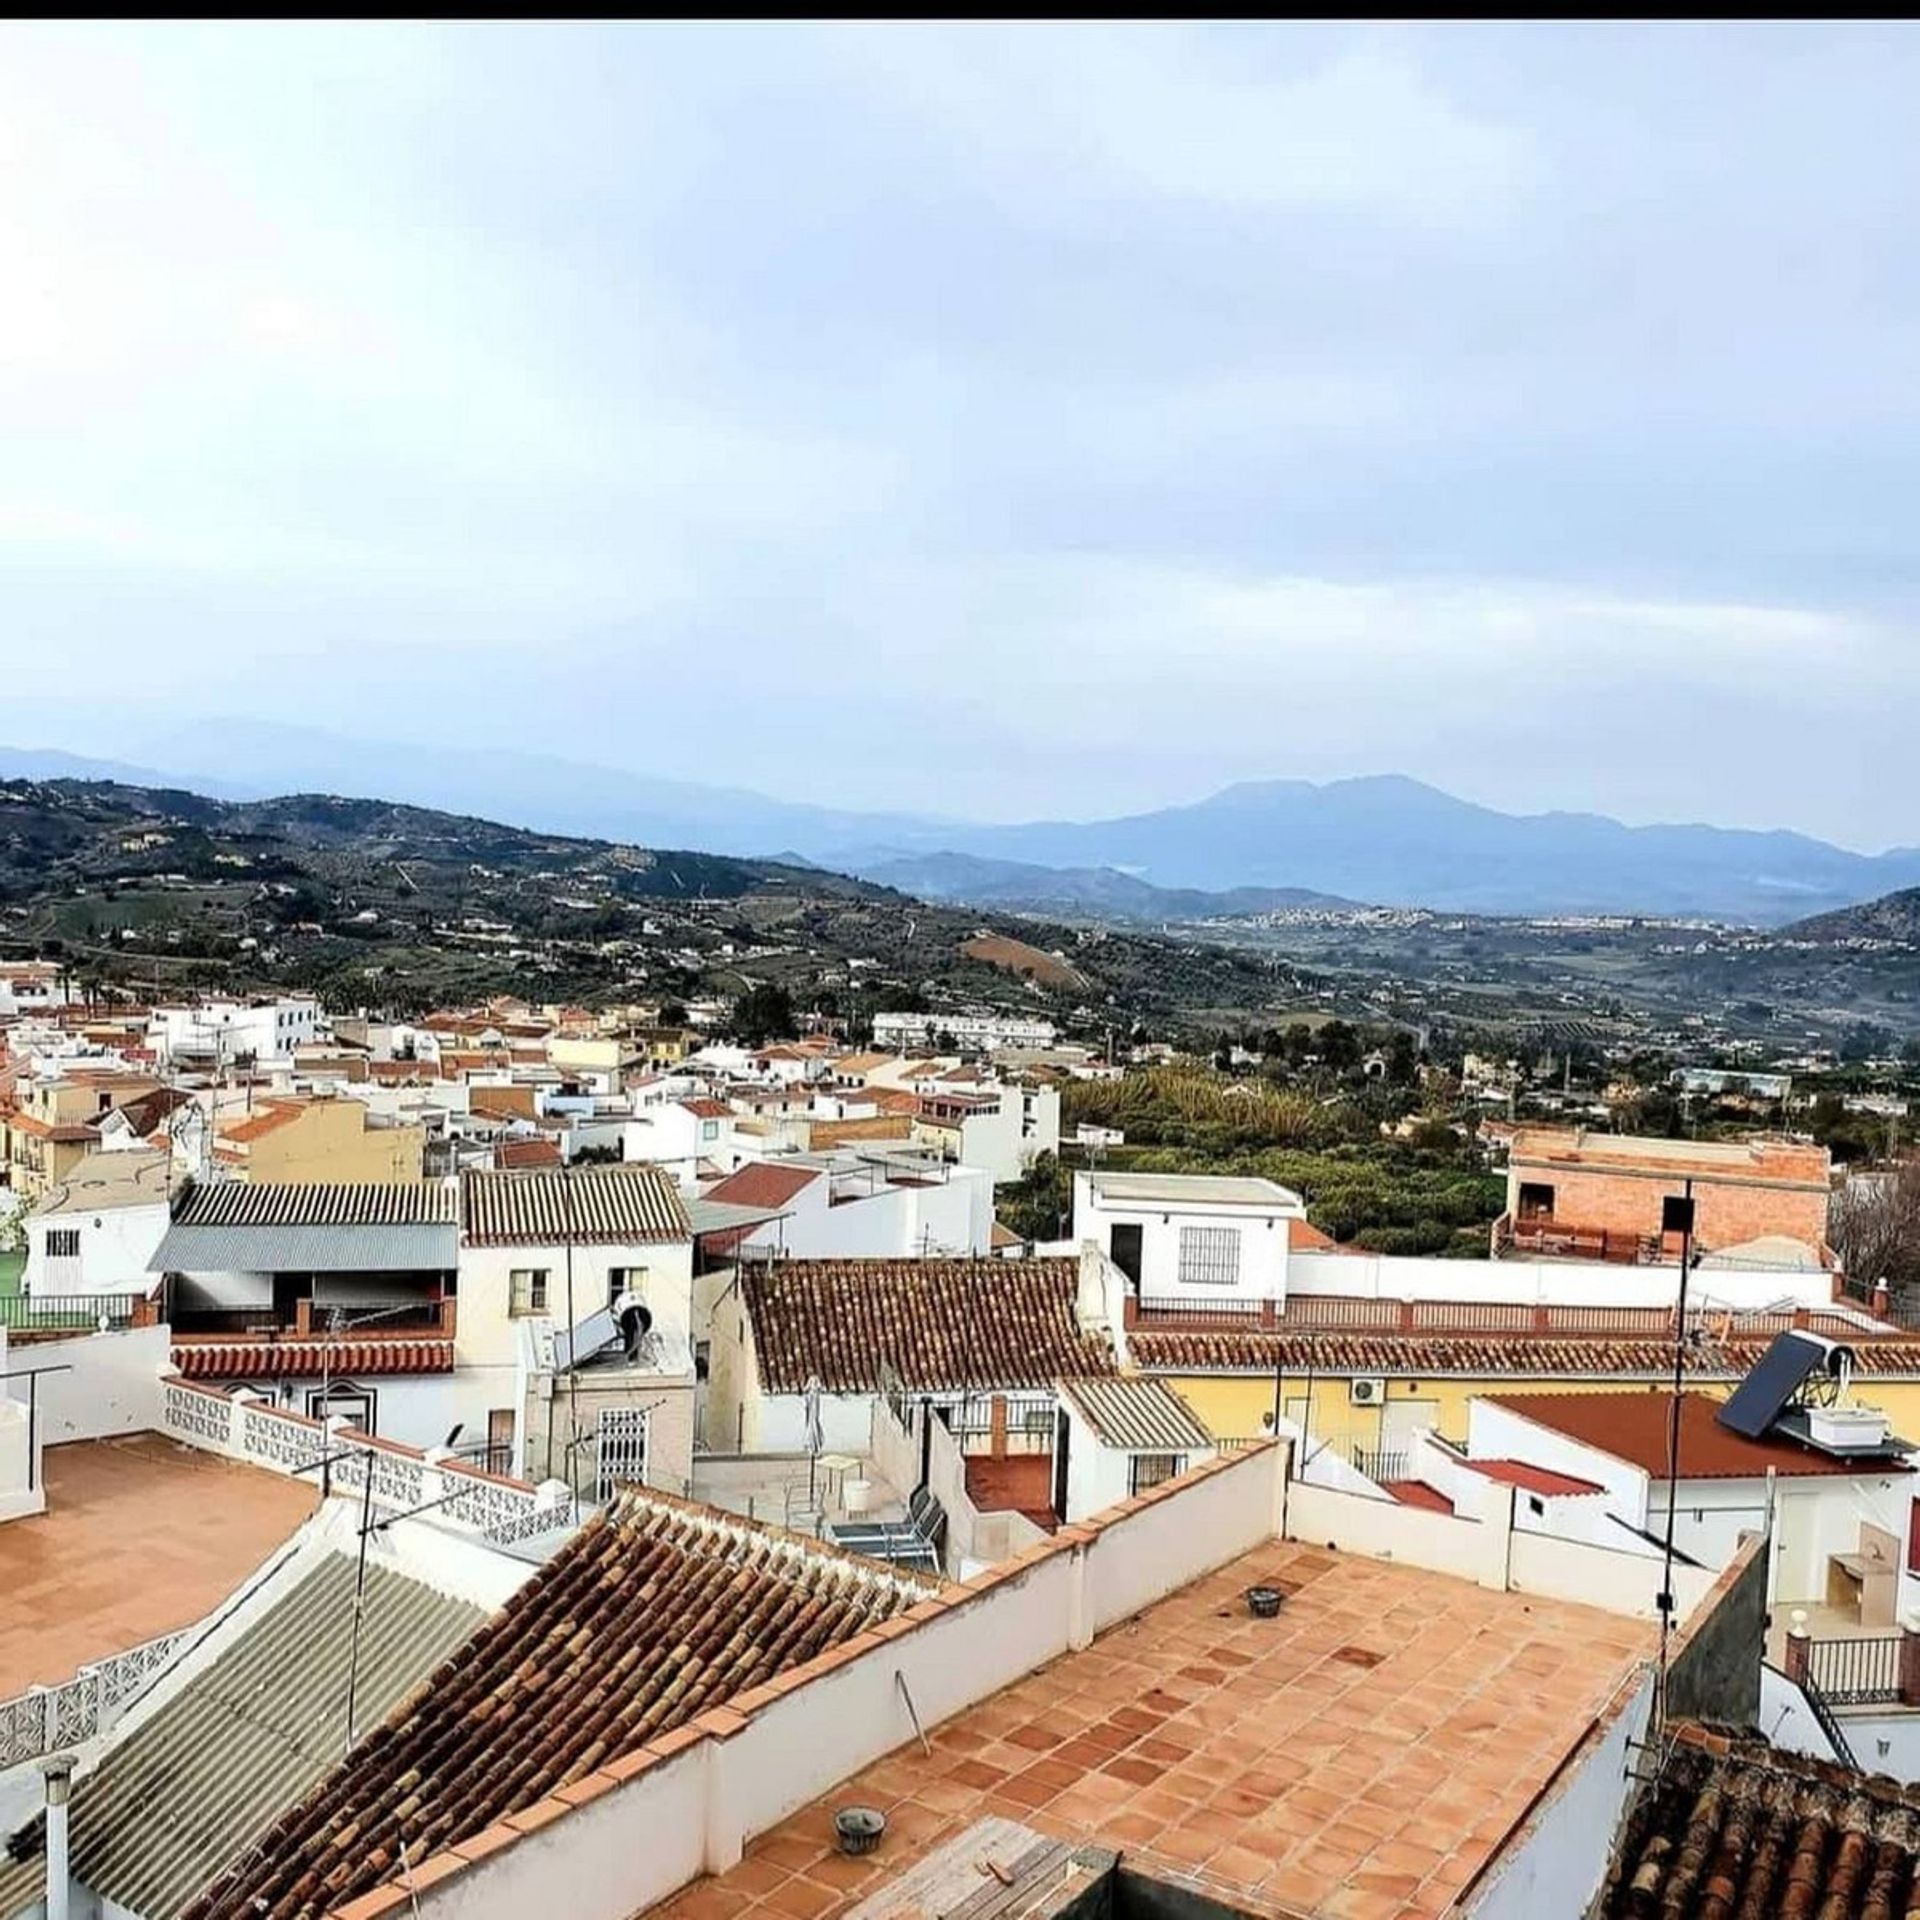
{"x":398,"y":907}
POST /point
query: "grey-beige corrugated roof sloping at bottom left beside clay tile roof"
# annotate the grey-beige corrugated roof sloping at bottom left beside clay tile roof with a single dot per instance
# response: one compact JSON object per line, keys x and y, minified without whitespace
{"x":204,"y":1779}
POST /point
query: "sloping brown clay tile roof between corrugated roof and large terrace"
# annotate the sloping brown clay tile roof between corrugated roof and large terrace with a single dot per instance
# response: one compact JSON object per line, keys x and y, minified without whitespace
{"x":650,"y":1618}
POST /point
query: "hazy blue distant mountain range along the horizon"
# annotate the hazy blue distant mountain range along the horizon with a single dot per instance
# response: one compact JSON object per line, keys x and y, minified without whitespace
{"x":1383,"y":840}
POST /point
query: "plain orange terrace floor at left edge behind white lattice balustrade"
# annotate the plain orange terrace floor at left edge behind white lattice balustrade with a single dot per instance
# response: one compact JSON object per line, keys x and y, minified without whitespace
{"x":141,"y":1537}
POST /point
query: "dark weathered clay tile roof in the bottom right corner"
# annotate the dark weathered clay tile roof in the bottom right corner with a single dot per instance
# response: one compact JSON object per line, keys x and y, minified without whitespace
{"x":1735,"y":1827}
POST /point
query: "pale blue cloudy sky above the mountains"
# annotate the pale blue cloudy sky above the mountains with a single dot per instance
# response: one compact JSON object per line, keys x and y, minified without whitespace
{"x":986,"y":421}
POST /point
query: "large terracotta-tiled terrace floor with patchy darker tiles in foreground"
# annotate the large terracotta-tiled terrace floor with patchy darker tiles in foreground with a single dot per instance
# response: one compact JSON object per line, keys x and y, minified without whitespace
{"x":1360,"y":1758}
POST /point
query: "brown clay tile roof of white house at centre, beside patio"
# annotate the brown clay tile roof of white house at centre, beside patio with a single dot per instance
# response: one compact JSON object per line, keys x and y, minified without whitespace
{"x":934,"y":1324}
